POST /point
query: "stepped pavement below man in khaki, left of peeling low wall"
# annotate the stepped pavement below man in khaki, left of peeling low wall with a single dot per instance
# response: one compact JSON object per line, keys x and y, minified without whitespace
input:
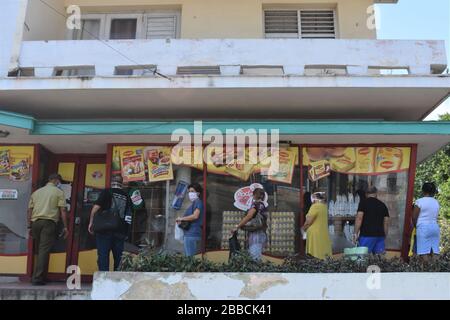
{"x":12,"y":289}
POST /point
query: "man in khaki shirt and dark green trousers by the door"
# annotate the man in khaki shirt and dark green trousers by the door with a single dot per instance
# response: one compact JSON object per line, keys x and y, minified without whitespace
{"x":45,"y":207}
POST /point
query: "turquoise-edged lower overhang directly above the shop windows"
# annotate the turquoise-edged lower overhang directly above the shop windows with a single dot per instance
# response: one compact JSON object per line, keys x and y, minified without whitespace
{"x":92,"y":137}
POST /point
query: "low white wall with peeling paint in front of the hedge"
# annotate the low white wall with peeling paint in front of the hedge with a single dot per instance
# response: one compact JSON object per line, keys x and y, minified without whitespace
{"x":270,"y":286}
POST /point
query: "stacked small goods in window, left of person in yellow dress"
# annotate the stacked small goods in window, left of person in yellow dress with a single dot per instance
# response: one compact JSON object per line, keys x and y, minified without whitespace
{"x":282,"y":233}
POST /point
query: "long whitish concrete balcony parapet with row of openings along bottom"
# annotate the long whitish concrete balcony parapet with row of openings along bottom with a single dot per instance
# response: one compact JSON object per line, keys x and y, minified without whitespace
{"x":232,"y":57}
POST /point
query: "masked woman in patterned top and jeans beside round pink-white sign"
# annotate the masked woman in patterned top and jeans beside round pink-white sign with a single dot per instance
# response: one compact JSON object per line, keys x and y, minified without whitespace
{"x":258,"y":238}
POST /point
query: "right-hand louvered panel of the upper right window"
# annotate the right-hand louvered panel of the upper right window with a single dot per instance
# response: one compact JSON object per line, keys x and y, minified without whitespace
{"x":317,"y":24}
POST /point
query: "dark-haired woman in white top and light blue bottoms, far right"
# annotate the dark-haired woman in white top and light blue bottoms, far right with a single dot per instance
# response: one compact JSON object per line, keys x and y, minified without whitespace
{"x":425,"y":215}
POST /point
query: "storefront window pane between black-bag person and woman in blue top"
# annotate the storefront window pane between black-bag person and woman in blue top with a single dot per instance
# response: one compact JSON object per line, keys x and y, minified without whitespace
{"x":158,"y":189}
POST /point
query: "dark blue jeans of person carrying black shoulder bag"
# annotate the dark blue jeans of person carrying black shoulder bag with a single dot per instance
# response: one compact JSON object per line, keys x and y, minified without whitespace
{"x":105,"y":244}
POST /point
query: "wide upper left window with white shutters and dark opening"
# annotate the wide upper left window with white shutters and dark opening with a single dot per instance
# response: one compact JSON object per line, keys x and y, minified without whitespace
{"x":155,"y":25}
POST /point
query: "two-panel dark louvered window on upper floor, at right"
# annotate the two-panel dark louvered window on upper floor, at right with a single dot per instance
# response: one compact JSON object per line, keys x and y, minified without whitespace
{"x":305,"y":24}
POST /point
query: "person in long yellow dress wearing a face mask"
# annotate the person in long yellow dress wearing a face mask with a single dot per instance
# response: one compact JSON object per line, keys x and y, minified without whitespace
{"x":318,"y":243}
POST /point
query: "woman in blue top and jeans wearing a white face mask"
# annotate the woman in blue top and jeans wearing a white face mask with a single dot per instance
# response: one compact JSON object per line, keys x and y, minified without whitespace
{"x":193,"y":215}
